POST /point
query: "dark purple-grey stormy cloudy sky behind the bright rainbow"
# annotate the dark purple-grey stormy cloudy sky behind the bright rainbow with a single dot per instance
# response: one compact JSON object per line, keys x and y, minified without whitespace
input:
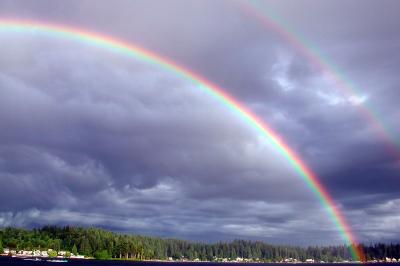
{"x":94,"y":138}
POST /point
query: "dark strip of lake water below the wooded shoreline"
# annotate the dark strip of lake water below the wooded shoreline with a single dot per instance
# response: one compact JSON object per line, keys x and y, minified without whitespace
{"x":19,"y":262}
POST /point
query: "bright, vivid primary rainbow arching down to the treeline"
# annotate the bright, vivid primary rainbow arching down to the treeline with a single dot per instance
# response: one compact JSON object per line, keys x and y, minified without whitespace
{"x":211,"y":89}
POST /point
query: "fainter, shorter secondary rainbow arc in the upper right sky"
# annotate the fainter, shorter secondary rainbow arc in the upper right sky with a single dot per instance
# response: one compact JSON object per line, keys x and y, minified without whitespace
{"x":272,"y":21}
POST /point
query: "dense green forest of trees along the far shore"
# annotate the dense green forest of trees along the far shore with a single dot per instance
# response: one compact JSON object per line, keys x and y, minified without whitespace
{"x":105,"y":244}
